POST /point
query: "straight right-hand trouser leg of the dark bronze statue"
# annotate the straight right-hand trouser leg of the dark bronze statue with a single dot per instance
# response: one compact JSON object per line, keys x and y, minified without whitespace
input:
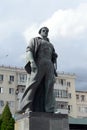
{"x":49,"y":90}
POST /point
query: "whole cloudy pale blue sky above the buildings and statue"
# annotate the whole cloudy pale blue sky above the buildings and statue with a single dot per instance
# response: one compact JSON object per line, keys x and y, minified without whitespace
{"x":20,"y":21}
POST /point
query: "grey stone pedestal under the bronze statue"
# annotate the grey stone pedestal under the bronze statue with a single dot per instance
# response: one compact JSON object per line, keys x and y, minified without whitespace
{"x":42,"y":121}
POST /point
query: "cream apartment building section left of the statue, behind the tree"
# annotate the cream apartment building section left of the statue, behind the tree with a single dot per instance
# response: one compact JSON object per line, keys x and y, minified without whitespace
{"x":10,"y":79}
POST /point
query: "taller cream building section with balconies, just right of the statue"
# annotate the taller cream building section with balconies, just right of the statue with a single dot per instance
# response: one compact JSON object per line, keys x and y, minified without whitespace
{"x":64,"y":89}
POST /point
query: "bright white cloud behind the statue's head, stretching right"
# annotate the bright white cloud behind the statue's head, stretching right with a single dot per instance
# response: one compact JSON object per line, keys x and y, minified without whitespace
{"x":69,"y":23}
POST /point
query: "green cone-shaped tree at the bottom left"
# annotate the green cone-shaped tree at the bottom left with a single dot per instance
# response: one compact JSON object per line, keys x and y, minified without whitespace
{"x":7,"y":121}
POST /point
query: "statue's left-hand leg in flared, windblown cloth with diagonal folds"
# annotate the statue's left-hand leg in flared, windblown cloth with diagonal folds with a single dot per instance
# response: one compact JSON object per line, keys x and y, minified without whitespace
{"x":31,"y":89}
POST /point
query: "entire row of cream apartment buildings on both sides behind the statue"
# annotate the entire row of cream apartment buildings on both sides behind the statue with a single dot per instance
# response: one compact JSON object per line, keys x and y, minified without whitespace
{"x":68,"y":100}
